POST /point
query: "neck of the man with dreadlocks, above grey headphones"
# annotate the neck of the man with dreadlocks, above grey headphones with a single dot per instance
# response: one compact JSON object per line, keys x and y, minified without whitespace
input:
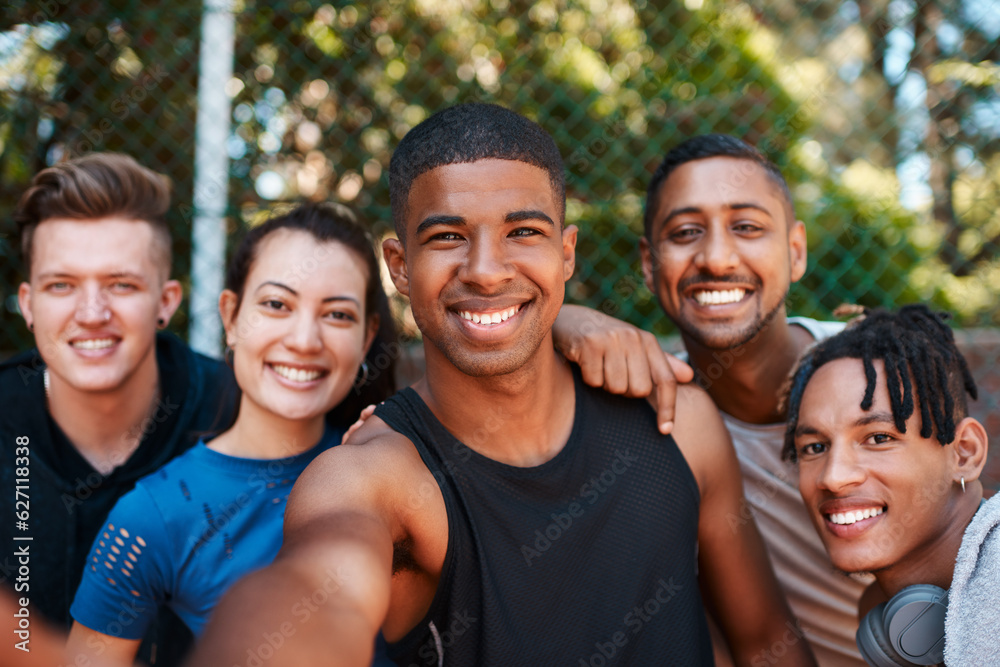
{"x":936,"y":561}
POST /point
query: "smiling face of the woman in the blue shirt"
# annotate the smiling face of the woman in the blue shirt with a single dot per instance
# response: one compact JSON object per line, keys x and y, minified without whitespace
{"x":300,"y":331}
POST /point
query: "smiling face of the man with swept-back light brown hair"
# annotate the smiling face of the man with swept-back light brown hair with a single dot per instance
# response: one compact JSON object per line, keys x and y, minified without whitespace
{"x":96,"y":291}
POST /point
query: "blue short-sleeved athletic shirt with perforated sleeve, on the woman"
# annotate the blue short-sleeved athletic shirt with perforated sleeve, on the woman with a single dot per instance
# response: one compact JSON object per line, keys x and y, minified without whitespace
{"x":184,"y":535}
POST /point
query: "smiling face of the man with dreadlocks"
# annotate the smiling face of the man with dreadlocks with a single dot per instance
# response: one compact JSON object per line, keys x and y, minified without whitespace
{"x":880,"y":499}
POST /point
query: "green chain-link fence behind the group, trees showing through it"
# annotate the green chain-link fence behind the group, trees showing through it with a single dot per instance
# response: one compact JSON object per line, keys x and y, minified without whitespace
{"x":884,"y":116}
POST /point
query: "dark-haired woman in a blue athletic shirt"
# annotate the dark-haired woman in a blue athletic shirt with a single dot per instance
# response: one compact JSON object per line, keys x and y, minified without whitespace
{"x":302,"y":309}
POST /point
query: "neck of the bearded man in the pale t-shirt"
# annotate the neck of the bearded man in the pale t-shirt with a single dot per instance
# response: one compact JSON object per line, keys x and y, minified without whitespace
{"x":746,"y":381}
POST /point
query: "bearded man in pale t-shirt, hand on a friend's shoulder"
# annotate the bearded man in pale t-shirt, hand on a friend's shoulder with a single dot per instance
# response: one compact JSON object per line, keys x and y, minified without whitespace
{"x":720,"y":251}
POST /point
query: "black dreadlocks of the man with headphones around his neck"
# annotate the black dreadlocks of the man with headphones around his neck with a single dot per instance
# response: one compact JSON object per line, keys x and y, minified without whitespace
{"x":923,"y":367}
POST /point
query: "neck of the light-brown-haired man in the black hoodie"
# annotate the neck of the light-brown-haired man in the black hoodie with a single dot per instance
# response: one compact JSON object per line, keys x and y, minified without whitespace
{"x":106,"y":427}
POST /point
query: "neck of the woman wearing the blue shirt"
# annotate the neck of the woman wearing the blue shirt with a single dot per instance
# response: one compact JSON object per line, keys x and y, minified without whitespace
{"x":261,"y":434}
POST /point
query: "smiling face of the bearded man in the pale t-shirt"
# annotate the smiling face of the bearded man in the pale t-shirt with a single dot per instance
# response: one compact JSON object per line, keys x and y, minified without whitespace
{"x":724,"y":250}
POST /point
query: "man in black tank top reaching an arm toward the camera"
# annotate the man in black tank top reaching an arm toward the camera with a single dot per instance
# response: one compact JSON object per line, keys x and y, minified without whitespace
{"x":499,"y":512}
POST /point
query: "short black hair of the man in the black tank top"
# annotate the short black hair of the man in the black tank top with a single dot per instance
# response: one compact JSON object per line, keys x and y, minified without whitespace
{"x":467,"y":133}
